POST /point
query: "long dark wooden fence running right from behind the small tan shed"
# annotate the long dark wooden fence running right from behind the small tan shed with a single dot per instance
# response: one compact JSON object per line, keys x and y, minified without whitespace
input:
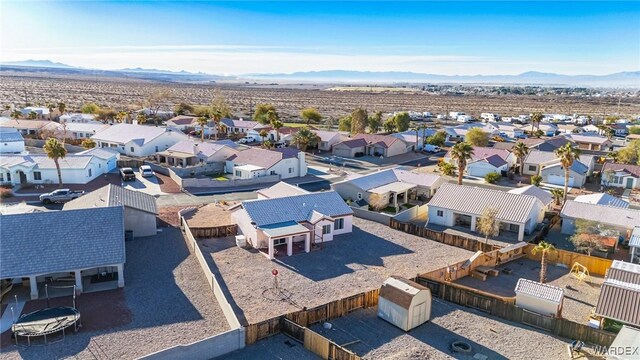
{"x":505,"y":308}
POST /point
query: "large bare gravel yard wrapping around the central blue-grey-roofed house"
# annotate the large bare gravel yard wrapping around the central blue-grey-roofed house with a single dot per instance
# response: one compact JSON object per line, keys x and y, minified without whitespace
{"x":351,"y":264}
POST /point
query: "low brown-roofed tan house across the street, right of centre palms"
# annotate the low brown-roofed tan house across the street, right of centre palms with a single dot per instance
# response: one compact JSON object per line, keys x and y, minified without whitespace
{"x":373,"y":145}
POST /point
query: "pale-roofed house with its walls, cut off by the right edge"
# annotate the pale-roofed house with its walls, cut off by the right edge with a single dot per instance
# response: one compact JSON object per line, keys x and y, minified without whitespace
{"x":622,"y":219}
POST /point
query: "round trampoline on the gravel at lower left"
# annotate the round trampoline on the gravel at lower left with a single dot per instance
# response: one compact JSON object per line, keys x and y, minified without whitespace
{"x":45,"y":322}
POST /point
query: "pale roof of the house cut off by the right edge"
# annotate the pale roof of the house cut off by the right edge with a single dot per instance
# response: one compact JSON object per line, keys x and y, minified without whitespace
{"x":603,"y":214}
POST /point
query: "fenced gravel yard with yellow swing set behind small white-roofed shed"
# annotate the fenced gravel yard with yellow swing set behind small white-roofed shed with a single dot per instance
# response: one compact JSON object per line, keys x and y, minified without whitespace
{"x":579,"y":299}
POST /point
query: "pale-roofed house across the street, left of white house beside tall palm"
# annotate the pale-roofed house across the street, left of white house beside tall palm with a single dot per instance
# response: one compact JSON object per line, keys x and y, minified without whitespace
{"x":190,"y":153}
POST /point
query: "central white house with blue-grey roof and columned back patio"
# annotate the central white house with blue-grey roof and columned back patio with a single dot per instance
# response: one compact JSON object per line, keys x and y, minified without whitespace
{"x":277,"y":224}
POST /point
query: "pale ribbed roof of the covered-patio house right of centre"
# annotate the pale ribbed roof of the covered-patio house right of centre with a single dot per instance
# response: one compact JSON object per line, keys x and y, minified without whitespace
{"x":473,"y":200}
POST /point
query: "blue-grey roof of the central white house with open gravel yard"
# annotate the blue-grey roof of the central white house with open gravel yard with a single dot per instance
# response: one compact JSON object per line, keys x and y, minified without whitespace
{"x":295,"y":208}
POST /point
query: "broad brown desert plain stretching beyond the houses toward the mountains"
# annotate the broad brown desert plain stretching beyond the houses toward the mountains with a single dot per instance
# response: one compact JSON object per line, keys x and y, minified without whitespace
{"x":124,"y":94}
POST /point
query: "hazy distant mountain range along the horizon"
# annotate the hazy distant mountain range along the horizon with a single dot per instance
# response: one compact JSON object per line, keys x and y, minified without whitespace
{"x":629,"y":79}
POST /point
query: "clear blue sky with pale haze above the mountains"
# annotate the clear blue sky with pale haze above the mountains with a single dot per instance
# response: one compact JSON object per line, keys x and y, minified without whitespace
{"x":249,"y":37}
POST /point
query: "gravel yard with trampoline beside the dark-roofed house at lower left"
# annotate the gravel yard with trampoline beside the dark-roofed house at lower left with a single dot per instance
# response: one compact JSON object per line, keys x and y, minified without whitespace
{"x":167,"y":300}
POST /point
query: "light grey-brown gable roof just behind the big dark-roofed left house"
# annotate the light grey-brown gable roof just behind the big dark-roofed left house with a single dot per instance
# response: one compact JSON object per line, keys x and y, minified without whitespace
{"x":114,"y":195}
